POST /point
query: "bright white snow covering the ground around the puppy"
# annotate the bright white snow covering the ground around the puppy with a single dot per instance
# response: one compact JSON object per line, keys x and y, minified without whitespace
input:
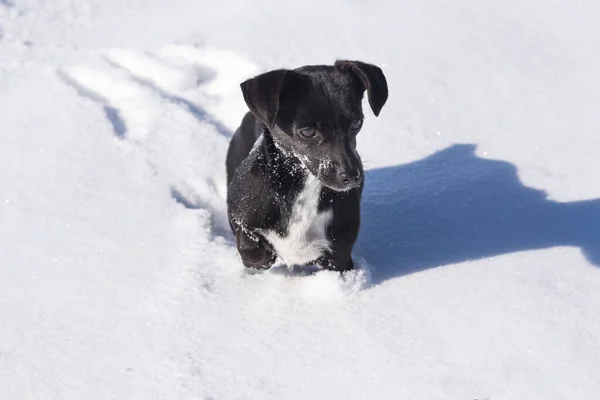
{"x":479,"y":252}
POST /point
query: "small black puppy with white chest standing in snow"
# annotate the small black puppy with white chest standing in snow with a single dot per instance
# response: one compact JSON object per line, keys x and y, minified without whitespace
{"x":294,"y":176}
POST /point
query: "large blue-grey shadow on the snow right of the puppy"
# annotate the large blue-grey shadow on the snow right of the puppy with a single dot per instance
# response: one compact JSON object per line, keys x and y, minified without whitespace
{"x":454,"y":206}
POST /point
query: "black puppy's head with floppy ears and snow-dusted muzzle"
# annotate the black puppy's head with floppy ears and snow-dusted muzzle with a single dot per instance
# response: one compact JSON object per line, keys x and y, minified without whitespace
{"x":315,"y":113}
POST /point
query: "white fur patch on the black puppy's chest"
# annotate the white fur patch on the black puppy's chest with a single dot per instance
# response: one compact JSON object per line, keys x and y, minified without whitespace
{"x":306,"y":238}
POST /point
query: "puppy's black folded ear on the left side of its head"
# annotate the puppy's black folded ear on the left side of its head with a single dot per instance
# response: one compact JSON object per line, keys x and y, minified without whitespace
{"x":263,"y":92}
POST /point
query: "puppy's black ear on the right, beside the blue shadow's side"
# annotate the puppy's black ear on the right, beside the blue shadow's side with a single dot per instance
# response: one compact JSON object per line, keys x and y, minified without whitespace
{"x":372,"y":78}
